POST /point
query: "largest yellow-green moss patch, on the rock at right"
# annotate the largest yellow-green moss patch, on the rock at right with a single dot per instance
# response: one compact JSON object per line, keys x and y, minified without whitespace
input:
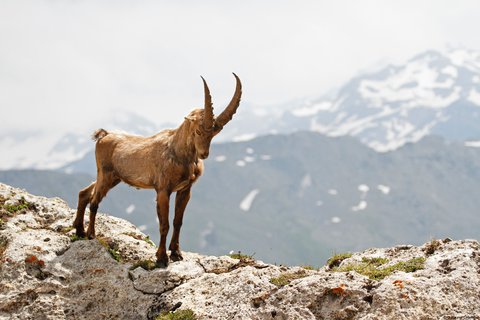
{"x":372,"y":267}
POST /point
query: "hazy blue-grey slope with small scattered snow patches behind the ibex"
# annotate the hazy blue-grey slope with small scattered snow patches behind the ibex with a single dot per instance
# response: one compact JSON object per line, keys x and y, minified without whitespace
{"x":297,"y":198}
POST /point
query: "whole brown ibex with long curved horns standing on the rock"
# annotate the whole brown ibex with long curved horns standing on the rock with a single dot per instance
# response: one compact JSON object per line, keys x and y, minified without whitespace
{"x":169,"y":161}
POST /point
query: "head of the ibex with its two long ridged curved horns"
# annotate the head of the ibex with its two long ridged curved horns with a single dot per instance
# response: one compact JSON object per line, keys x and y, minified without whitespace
{"x":206,"y":125}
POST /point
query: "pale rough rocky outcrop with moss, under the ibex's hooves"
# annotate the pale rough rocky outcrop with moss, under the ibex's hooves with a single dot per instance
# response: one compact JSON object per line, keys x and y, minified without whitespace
{"x":46,"y":273}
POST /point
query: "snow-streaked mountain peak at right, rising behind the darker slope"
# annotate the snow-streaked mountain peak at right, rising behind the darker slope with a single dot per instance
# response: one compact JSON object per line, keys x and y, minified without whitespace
{"x":432,"y":93}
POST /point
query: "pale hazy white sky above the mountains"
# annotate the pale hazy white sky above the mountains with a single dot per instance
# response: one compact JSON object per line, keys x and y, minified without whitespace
{"x":64,"y":63}
